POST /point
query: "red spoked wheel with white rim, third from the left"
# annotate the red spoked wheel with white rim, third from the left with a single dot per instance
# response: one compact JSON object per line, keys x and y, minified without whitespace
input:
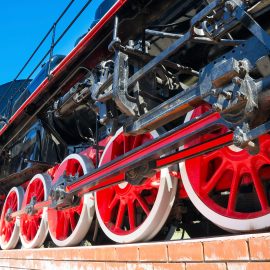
{"x":69,"y":226}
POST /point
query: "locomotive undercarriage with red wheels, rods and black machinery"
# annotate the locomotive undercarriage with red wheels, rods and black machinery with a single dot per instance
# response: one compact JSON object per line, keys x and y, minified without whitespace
{"x":190,"y":87}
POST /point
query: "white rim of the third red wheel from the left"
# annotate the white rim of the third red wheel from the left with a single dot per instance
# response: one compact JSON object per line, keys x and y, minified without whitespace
{"x":87,"y":212}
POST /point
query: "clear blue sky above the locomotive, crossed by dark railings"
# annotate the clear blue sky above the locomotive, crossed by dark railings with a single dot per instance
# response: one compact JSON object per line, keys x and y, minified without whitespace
{"x":23,"y":23}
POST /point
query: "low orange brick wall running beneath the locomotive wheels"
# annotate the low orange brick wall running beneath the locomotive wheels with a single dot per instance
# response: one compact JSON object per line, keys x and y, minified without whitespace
{"x":224,"y":253}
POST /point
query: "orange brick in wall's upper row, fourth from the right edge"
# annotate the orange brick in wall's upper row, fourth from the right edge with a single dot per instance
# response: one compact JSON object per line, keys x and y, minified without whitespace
{"x":153,"y":253}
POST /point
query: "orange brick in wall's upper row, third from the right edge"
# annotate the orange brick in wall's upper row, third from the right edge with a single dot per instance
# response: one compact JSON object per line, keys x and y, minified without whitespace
{"x":185,"y":251}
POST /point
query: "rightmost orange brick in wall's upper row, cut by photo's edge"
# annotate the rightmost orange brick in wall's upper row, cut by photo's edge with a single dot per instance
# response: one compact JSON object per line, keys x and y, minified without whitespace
{"x":259,"y":248}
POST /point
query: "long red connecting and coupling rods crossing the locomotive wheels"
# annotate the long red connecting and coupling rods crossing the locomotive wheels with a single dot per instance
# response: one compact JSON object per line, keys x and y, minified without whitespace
{"x":114,"y":172}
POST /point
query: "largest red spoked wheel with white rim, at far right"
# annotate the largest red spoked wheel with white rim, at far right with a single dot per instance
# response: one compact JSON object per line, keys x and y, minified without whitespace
{"x":230,"y":186}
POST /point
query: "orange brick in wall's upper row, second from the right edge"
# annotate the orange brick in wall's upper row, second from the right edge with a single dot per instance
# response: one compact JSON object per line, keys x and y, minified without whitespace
{"x":227,"y":250}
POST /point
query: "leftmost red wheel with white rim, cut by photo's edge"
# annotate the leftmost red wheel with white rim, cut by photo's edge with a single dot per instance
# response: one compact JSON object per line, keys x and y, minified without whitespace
{"x":9,"y":227}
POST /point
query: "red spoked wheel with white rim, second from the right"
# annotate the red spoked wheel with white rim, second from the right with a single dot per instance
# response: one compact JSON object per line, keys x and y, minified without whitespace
{"x":129,"y":213}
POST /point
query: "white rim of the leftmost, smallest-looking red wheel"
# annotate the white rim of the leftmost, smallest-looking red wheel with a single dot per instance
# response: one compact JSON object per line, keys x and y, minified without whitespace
{"x":16,"y":231}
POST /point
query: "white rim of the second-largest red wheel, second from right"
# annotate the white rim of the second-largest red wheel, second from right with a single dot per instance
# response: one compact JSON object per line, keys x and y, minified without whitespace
{"x":159,"y":212}
